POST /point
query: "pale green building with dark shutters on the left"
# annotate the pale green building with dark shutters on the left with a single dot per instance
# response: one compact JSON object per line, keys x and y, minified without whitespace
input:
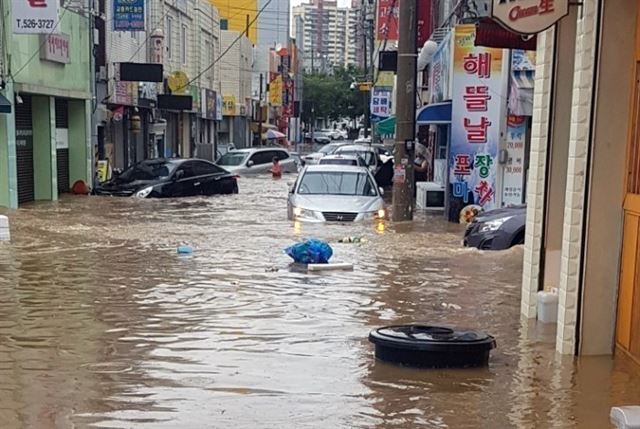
{"x":45,"y":137}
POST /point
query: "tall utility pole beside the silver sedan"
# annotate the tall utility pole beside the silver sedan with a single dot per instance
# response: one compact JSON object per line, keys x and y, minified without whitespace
{"x":405,"y":113}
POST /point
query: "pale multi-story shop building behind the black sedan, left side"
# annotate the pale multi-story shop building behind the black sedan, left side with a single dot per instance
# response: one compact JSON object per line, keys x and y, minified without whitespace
{"x":139,"y":119}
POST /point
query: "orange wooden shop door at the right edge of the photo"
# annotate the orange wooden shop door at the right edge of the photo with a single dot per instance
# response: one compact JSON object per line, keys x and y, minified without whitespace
{"x":628,"y":317}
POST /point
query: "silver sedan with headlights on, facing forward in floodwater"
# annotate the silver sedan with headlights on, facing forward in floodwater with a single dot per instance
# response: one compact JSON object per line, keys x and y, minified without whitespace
{"x":337,"y":193}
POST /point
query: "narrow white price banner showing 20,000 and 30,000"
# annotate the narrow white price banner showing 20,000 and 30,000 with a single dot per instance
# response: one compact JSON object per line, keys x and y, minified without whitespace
{"x":514,"y":174}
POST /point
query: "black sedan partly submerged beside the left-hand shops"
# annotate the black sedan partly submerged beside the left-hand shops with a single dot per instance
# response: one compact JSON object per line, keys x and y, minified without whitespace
{"x":167,"y":178}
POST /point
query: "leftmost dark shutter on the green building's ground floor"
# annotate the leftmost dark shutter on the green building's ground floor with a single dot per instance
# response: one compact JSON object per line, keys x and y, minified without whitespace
{"x":24,"y":150}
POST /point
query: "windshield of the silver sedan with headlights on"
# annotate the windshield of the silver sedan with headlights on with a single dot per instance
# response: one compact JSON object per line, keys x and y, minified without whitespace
{"x":337,"y":183}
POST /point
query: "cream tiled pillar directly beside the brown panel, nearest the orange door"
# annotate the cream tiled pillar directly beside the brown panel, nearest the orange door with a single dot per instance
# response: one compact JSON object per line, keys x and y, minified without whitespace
{"x":581,"y":117}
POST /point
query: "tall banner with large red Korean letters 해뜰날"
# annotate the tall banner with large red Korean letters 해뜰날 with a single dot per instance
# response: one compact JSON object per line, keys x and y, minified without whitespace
{"x":478,"y":86}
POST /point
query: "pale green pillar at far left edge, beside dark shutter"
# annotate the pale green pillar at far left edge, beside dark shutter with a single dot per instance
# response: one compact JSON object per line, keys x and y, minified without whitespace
{"x":8,"y":172}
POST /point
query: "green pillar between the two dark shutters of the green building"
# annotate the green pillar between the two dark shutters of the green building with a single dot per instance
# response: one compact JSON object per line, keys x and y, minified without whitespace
{"x":45,"y":173}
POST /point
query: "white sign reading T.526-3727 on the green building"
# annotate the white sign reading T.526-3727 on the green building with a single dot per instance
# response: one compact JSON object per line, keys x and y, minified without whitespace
{"x":35,"y":16}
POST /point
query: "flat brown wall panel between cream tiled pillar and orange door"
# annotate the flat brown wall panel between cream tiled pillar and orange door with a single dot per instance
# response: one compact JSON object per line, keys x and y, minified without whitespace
{"x":604,"y":223}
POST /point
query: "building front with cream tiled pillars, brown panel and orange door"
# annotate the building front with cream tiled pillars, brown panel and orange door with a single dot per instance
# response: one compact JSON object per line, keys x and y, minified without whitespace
{"x":583,"y":212}
